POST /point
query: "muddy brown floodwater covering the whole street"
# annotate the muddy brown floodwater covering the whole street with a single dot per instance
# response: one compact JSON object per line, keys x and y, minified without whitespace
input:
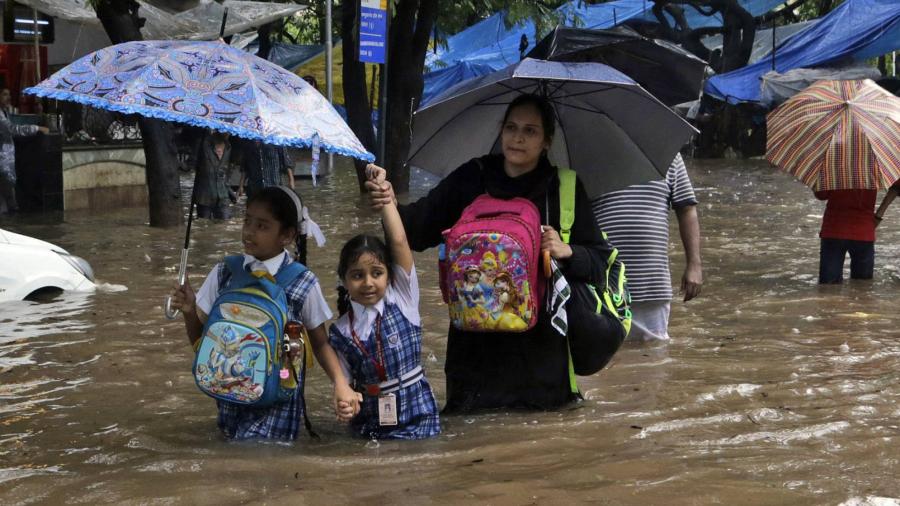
{"x":773,"y":390}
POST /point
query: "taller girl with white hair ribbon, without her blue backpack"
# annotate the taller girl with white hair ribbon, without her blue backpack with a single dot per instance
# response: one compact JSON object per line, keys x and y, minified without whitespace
{"x":272,"y":219}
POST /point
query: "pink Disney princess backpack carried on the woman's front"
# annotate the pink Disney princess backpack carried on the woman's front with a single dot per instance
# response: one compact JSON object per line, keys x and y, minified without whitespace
{"x":489,"y":266}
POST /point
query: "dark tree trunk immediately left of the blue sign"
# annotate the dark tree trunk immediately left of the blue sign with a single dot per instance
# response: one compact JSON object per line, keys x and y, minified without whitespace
{"x":359,"y":110}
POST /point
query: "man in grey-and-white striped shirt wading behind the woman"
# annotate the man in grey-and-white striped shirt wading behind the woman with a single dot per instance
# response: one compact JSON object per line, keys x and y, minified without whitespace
{"x":637,"y":222}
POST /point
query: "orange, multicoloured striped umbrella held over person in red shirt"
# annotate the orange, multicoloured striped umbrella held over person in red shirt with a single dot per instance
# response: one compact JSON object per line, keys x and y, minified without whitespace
{"x":838,"y":135}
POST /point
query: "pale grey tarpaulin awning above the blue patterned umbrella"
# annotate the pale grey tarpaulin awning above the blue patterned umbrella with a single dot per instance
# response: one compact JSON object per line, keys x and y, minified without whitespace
{"x":198,"y":23}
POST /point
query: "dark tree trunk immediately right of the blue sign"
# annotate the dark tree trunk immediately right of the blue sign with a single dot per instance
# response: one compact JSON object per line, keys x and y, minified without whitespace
{"x":410,"y":31}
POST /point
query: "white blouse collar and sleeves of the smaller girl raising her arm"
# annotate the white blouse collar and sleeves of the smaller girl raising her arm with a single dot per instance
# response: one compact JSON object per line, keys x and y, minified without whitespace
{"x":403,"y":291}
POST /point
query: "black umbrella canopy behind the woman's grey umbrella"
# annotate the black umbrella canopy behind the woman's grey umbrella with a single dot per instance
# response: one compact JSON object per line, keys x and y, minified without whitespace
{"x":670,"y":73}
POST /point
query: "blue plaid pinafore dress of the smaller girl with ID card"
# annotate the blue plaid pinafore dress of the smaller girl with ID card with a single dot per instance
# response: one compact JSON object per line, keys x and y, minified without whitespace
{"x":417,"y":414}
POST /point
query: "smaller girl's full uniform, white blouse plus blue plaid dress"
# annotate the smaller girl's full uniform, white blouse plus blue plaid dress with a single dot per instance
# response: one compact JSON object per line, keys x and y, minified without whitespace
{"x":401,"y":339}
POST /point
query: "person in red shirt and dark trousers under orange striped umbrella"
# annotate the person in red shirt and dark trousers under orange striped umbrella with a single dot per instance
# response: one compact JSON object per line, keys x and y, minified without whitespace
{"x":848,"y":226}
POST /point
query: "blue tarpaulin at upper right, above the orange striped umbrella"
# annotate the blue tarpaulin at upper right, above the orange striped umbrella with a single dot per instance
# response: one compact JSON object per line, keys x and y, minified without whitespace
{"x":856,"y":30}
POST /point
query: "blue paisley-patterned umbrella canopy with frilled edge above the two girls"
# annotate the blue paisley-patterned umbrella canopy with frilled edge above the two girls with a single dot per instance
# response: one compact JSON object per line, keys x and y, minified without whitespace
{"x":205,"y":84}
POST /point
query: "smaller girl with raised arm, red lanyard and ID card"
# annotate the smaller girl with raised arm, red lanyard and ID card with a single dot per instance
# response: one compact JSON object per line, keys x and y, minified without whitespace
{"x":379,"y":333}
